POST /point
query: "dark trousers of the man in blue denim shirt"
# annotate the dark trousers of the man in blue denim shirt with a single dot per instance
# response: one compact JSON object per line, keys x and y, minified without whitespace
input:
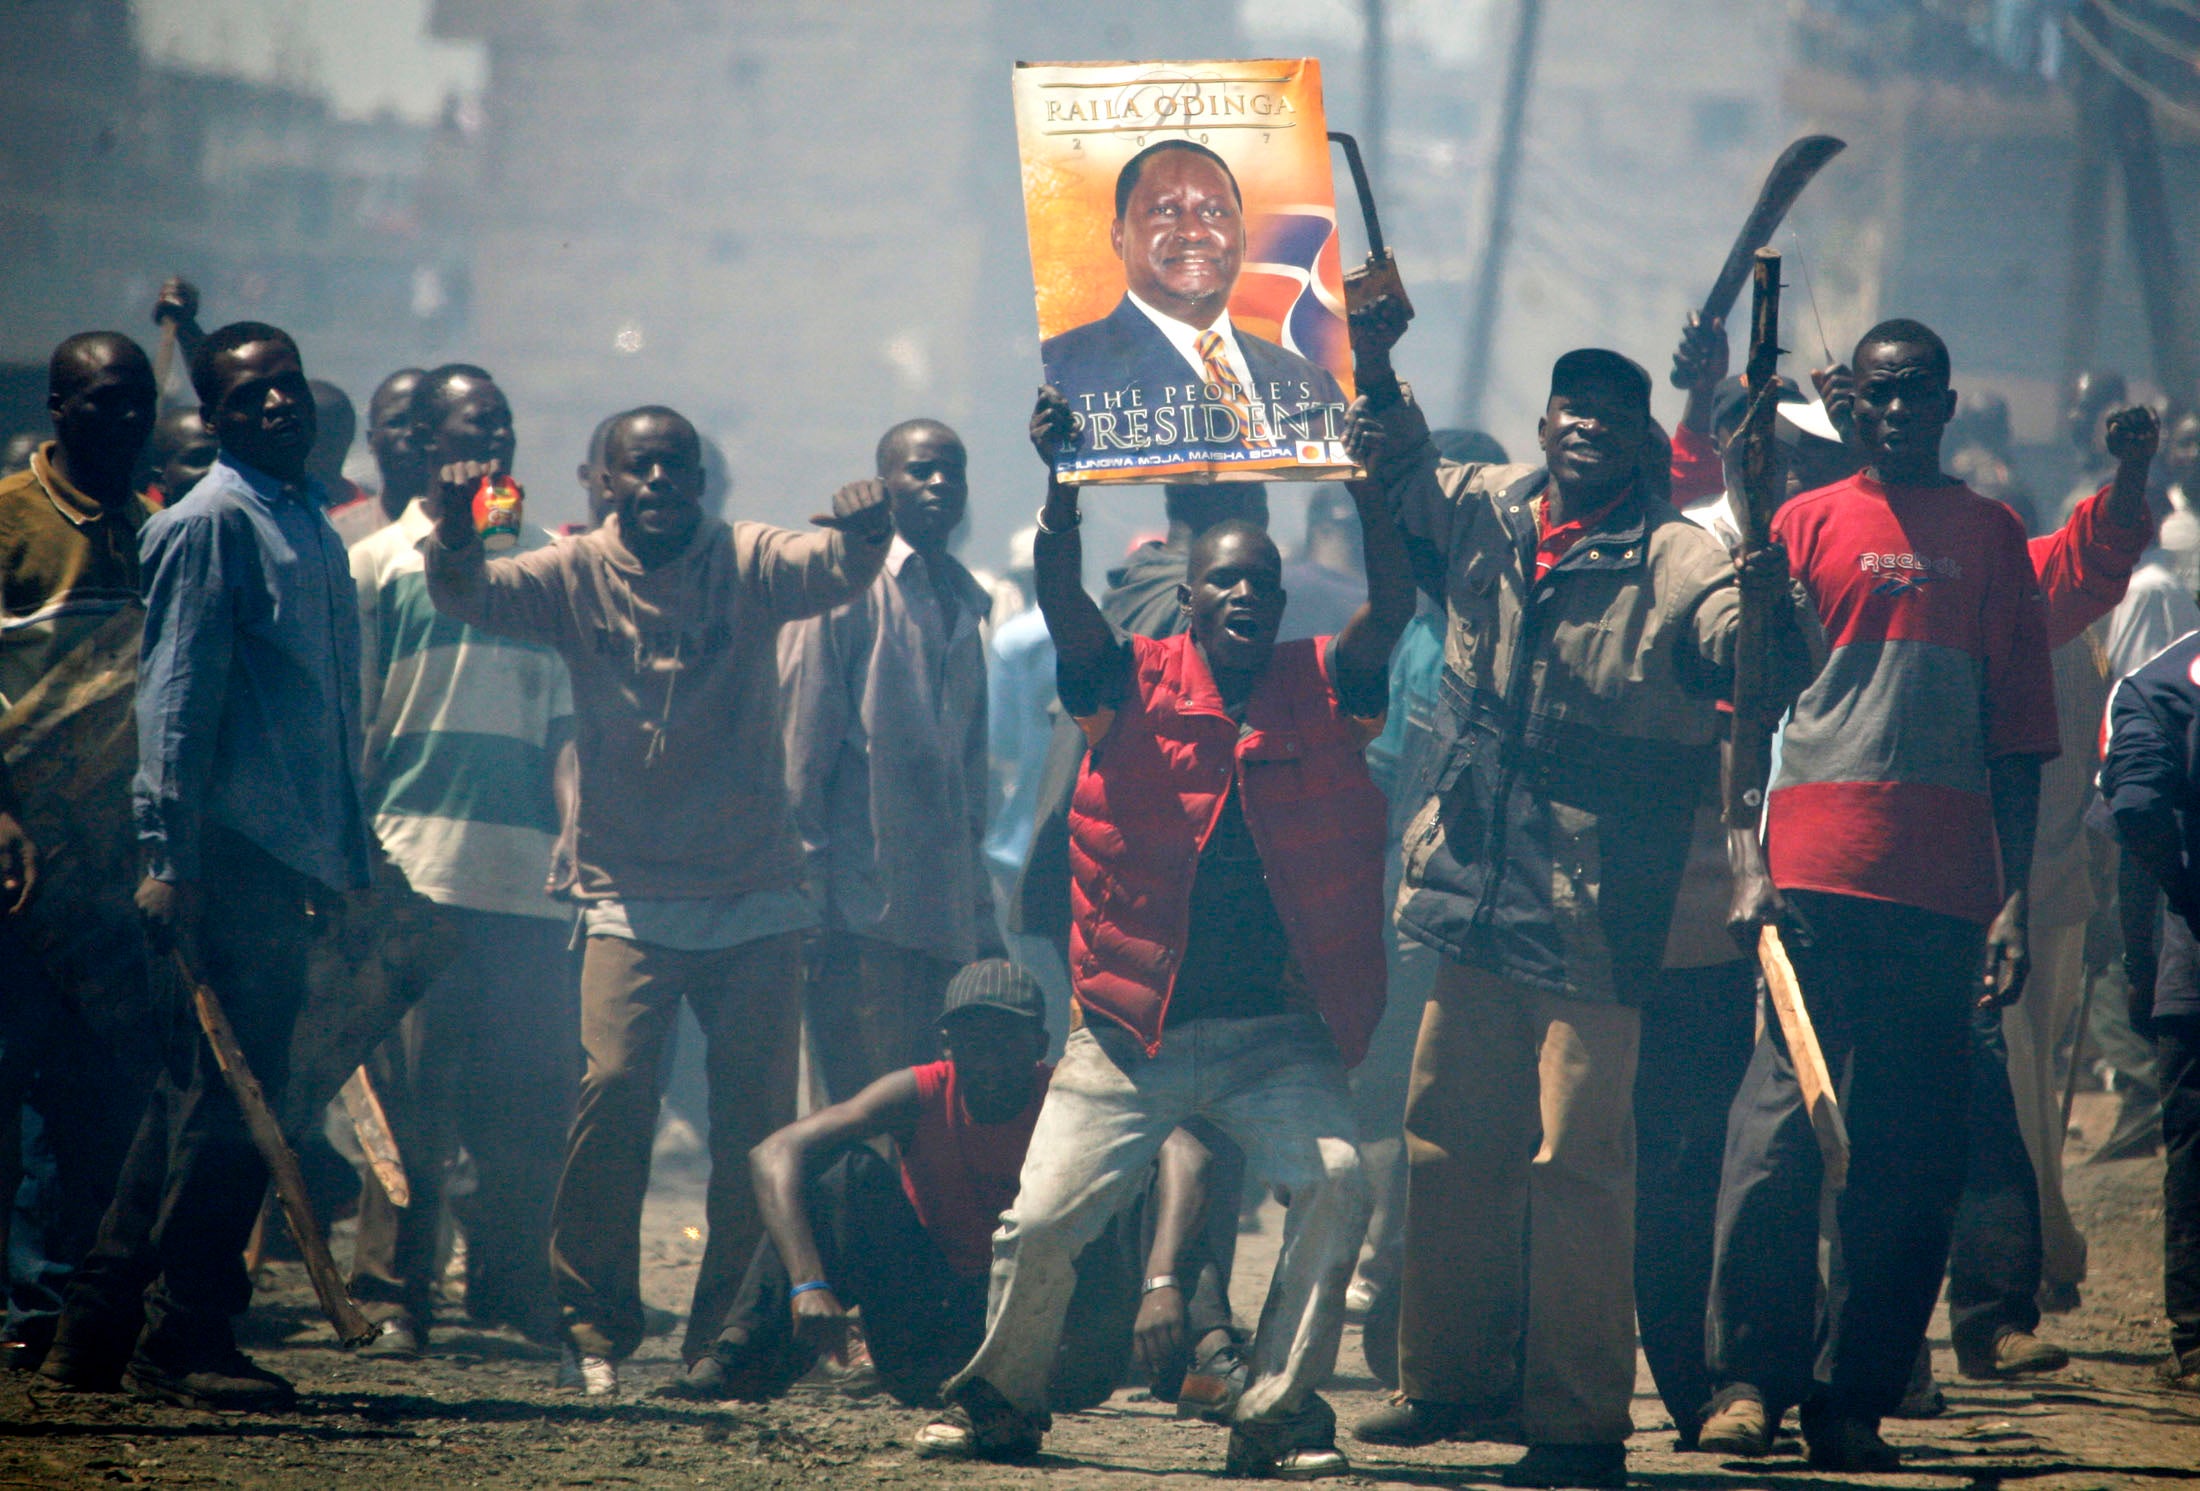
{"x":170,"y":1250}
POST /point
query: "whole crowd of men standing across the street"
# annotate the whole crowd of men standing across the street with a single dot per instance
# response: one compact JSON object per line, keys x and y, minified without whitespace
{"x":1391,"y":879}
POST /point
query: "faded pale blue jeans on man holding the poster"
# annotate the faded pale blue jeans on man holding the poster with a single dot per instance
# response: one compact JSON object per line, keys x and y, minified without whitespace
{"x":1277,"y":1087}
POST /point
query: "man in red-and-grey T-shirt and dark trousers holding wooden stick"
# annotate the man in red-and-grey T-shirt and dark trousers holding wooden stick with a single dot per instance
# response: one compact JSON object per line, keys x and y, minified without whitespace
{"x":1900,"y":837}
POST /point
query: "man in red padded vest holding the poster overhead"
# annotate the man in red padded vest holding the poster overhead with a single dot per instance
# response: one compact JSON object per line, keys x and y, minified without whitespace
{"x":1226,"y":956}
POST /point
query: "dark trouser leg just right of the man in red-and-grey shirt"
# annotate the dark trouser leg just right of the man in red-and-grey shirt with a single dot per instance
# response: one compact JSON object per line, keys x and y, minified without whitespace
{"x":1996,"y":1252}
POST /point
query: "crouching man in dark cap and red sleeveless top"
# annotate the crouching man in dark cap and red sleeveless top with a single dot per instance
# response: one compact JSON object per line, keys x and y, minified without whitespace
{"x":910,"y":1244}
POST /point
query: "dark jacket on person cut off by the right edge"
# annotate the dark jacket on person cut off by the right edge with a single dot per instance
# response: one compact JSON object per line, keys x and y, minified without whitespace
{"x":2153,"y":784}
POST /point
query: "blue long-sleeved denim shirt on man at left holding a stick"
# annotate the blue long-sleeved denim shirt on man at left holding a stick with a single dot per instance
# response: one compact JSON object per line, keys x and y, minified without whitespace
{"x":250,"y":681}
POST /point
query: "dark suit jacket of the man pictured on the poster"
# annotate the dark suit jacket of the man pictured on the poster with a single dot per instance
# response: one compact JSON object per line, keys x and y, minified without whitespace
{"x":1125,"y":357}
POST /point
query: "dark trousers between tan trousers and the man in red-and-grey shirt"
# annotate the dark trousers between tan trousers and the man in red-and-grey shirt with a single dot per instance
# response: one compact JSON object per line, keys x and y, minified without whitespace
{"x":1695,"y":1050}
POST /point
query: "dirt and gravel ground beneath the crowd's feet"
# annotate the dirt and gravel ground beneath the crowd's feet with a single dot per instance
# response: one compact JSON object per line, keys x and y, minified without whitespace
{"x":483,"y":1409}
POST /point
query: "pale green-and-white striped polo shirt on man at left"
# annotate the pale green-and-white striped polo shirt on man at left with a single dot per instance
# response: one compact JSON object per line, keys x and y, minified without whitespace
{"x":459,"y":736}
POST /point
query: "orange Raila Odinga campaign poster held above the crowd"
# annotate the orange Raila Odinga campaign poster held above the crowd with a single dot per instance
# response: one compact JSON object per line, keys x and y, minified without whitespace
{"x":1185,"y":250}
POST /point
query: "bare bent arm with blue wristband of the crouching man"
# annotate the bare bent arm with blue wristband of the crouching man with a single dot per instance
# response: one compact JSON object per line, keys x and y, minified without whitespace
{"x":780,"y":1169}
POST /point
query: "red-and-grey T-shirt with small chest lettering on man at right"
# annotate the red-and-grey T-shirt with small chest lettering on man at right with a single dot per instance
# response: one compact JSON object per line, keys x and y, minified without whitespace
{"x":1939,"y":665}
